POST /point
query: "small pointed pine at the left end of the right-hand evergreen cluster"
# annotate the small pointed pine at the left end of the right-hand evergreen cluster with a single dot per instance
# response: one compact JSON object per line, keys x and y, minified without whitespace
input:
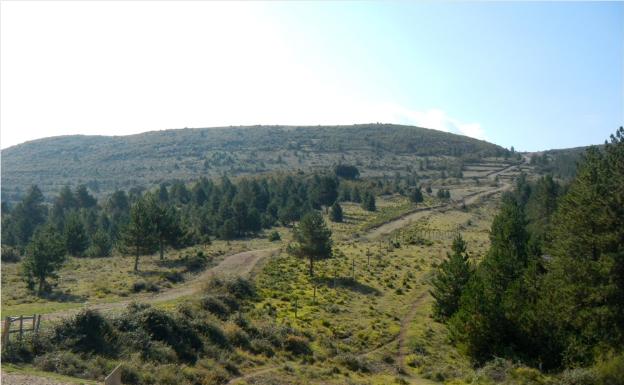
{"x":450,"y":280}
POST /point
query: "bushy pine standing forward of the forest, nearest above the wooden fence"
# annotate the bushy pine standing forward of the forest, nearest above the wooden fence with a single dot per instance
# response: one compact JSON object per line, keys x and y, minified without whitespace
{"x":45,"y":254}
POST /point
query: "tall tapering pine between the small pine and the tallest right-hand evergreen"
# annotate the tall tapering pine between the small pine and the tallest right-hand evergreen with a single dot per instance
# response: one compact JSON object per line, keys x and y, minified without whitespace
{"x":487,"y":322}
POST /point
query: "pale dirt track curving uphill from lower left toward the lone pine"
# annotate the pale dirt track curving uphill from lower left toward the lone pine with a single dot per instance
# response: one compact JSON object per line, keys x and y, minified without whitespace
{"x":235,"y":264}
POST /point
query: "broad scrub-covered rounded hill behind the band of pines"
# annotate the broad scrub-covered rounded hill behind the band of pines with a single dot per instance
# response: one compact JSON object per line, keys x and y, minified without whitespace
{"x":106,"y":163}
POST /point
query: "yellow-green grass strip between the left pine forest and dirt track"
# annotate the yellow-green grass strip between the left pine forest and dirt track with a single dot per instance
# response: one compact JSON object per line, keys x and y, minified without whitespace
{"x":85,"y":281}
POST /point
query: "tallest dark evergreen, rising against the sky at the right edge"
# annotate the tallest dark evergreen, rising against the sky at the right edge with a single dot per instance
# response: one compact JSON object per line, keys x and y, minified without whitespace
{"x":585,"y":279}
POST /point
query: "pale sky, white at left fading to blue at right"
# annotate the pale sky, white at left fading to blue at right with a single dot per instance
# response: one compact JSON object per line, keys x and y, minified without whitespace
{"x":525,"y":74}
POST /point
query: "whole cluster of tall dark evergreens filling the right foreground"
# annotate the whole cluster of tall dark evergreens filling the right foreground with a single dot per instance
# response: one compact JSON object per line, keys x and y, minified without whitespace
{"x":550,"y":290}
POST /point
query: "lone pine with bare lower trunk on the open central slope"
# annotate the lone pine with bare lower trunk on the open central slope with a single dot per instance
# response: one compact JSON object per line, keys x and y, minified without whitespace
{"x":313,"y":239}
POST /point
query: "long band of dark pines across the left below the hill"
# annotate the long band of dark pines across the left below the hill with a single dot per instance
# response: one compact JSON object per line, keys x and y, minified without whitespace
{"x":172,"y":215}
